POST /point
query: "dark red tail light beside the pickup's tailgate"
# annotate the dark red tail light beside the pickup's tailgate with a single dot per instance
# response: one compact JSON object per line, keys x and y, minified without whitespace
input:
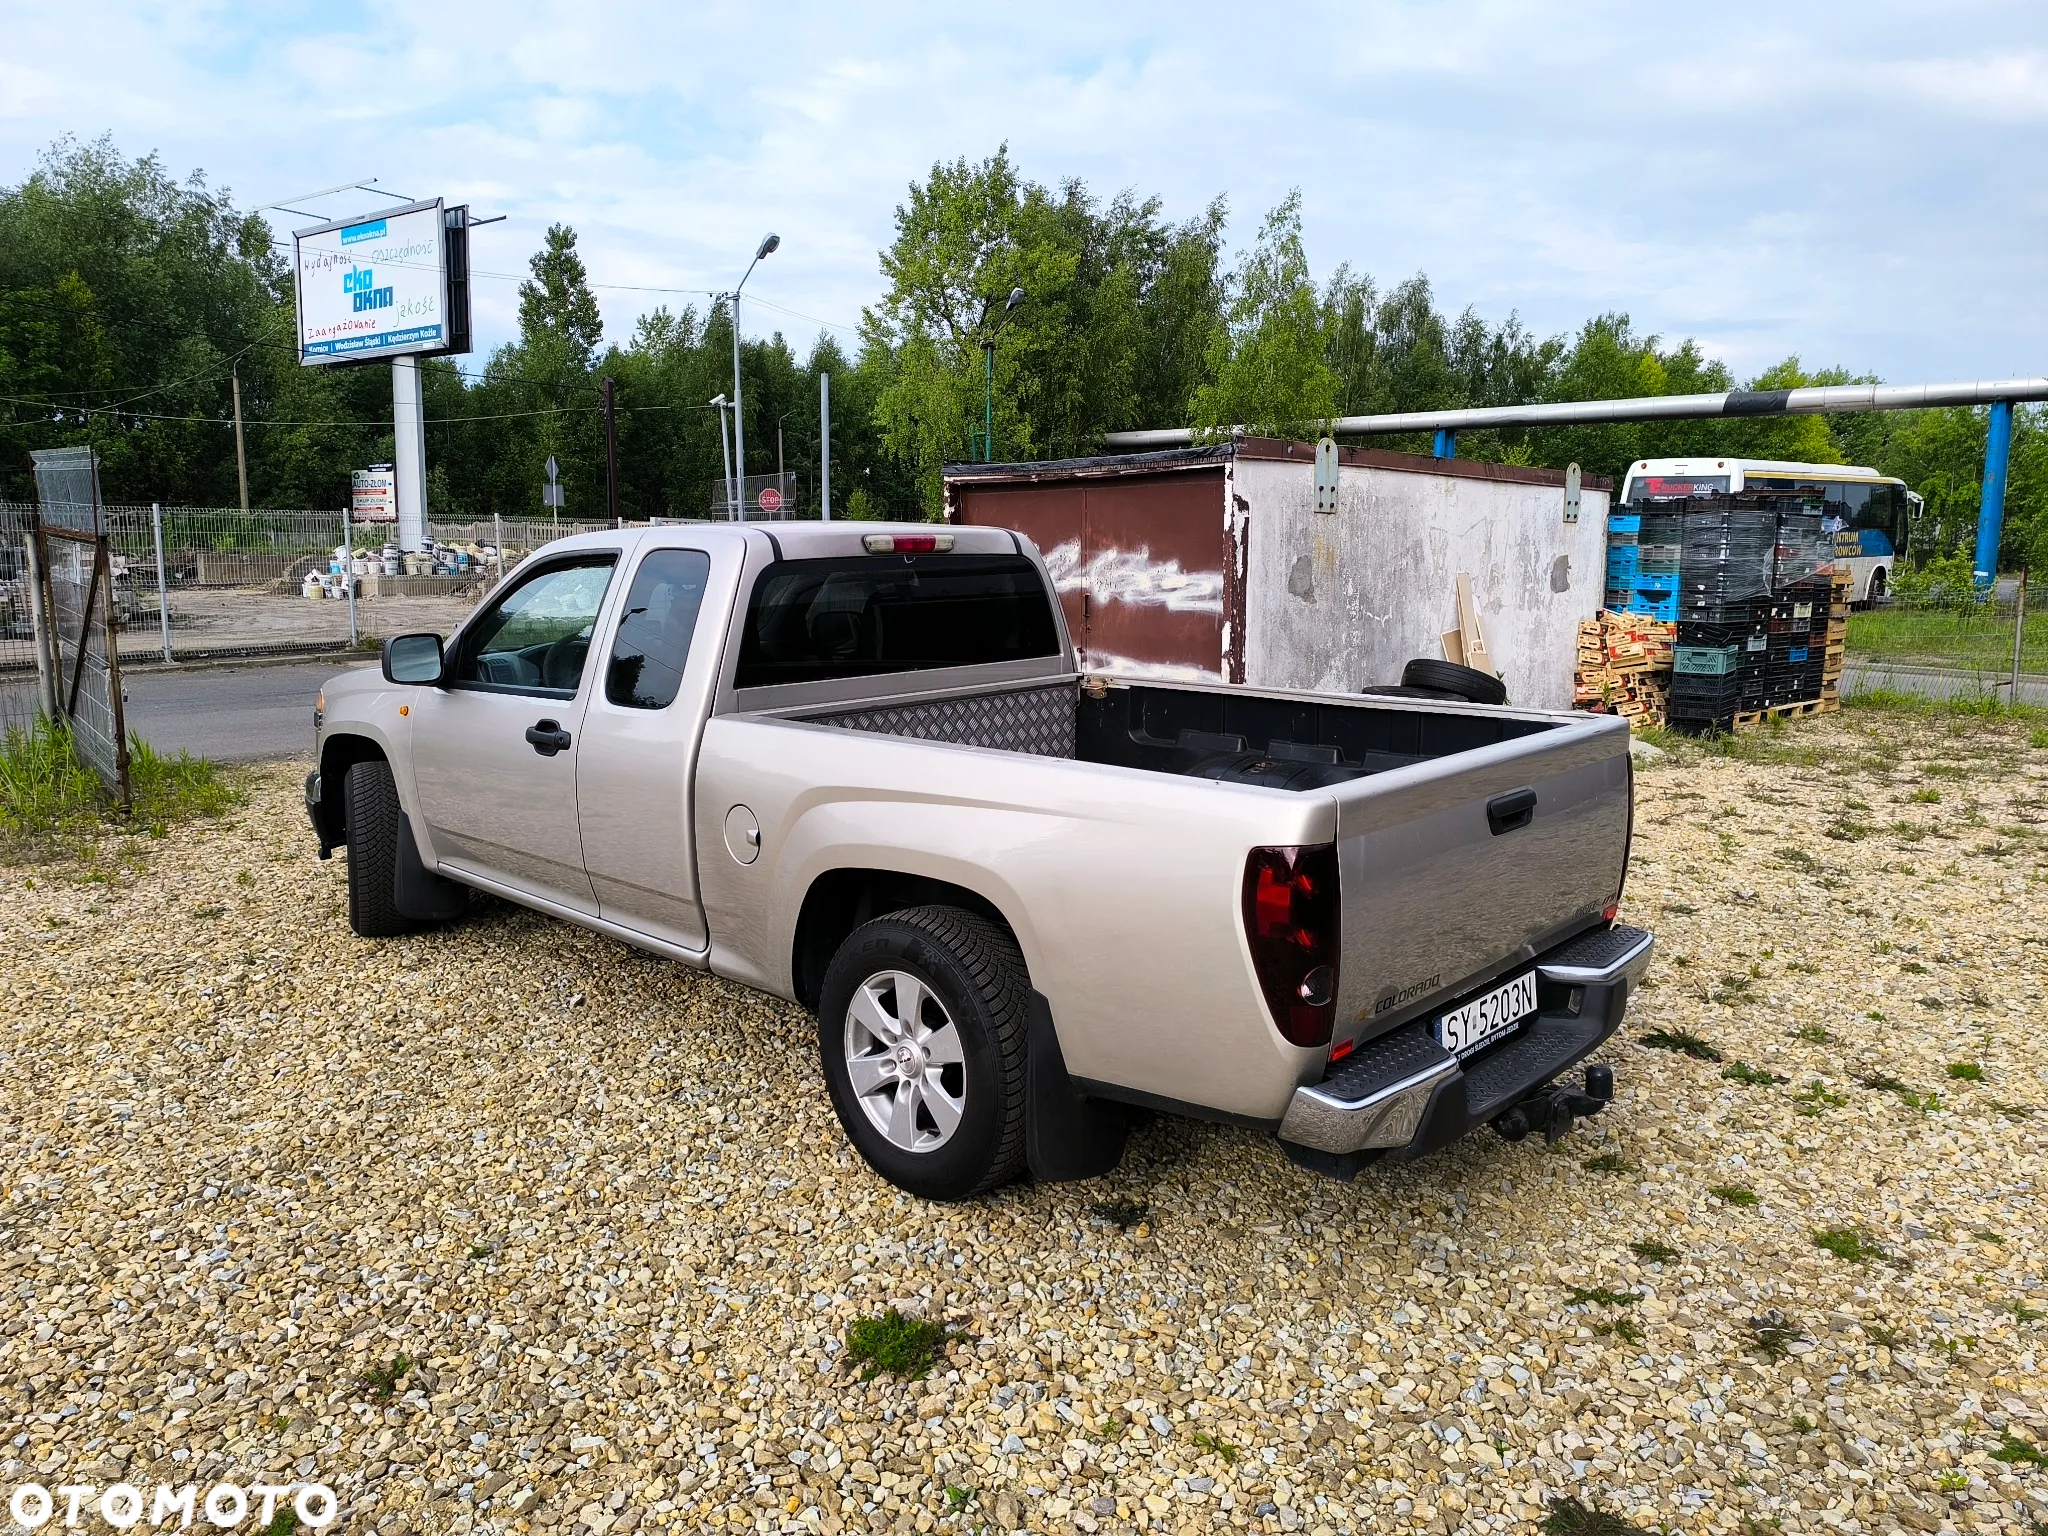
{"x":1291,"y":923}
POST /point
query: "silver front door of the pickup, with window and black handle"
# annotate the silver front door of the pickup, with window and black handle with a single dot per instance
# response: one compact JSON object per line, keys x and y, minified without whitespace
{"x":495,"y":751}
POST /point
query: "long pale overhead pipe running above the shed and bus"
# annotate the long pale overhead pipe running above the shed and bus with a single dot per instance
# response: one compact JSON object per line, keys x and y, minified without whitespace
{"x":1820,"y":400}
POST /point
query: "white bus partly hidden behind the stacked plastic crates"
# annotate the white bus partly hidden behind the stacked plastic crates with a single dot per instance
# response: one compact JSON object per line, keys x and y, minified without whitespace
{"x":1871,"y":515}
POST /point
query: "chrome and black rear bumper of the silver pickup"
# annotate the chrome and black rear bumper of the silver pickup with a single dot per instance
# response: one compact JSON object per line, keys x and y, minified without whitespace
{"x":1404,"y":1095}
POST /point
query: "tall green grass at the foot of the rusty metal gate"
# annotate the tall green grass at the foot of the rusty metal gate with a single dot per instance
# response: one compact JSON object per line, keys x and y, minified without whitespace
{"x":54,"y":808}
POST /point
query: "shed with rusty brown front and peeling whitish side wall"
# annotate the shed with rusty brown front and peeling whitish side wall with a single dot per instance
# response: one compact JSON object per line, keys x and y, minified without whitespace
{"x":1213,"y":564}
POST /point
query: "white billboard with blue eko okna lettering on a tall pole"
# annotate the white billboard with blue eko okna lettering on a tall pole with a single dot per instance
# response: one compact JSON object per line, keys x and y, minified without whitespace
{"x":380,"y":288}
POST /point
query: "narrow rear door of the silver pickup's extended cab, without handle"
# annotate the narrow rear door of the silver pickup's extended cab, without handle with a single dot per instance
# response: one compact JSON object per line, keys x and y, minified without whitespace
{"x":646,"y":716}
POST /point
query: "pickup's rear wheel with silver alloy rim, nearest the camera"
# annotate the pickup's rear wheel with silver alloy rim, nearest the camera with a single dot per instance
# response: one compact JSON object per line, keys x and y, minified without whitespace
{"x":923,"y":1037}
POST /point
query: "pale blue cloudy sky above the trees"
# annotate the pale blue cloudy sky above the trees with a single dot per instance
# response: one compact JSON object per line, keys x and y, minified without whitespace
{"x":1848,"y":181}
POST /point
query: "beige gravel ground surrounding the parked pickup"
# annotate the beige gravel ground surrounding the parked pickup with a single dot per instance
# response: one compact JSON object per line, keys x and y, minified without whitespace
{"x":603,"y":1207}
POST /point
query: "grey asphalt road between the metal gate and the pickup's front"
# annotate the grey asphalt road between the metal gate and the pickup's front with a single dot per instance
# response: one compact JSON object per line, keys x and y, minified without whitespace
{"x":228,"y":714}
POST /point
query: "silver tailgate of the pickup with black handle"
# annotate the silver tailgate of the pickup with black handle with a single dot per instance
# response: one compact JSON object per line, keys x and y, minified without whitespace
{"x":1441,"y":896}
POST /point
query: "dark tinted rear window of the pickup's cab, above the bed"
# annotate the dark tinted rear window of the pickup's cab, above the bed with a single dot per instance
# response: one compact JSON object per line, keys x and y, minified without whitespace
{"x":863,"y":615}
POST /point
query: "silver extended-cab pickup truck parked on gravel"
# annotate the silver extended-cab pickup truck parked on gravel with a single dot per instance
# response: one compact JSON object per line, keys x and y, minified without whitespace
{"x":855,"y":767}
